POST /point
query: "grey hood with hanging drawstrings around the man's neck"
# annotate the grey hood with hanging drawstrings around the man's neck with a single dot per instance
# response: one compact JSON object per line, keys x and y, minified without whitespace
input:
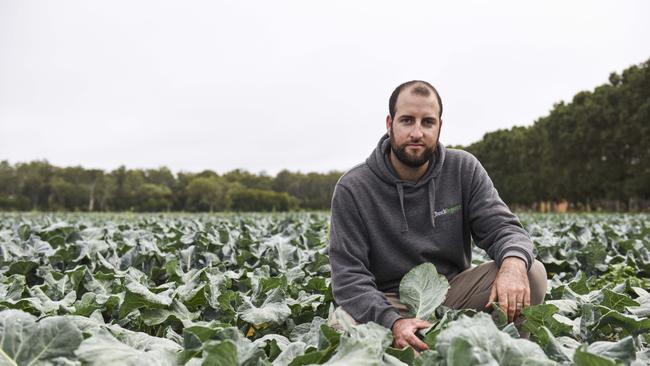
{"x":379,"y":164}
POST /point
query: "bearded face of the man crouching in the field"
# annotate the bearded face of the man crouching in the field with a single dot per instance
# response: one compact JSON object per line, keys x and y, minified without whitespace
{"x":415,"y":130}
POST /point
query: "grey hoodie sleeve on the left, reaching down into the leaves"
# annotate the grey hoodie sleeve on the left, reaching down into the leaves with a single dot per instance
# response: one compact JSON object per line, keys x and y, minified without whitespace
{"x":353,"y":285}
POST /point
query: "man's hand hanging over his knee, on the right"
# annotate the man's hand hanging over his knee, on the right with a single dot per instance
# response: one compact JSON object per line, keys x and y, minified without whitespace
{"x":511,"y":288}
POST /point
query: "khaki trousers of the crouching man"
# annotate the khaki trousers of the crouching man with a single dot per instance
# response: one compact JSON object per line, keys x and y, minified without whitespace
{"x":471,"y":288}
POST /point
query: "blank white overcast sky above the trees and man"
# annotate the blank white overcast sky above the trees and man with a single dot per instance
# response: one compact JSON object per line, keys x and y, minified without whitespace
{"x":301,"y":85}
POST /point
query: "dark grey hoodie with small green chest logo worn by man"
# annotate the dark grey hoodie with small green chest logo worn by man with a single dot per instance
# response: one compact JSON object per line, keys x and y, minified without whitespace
{"x":382,"y":227}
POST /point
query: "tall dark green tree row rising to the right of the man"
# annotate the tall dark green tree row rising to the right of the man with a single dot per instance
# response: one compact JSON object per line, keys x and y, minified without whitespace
{"x":592,"y":153}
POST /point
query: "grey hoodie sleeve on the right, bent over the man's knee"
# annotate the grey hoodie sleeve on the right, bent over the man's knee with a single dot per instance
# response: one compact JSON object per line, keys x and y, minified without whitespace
{"x":494,"y":227}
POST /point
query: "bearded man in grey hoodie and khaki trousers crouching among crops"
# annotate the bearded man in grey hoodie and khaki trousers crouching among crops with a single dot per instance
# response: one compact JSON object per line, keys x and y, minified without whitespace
{"x":414,"y":201}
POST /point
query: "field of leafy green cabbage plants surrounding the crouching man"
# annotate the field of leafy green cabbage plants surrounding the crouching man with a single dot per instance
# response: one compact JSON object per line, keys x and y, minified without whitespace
{"x":90,"y":289}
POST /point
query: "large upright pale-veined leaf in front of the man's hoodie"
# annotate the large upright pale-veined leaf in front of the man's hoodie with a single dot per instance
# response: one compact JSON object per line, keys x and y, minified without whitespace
{"x":422,"y":289}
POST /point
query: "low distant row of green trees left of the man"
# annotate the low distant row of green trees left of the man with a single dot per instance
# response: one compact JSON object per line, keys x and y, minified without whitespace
{"x":39,"y":185}
